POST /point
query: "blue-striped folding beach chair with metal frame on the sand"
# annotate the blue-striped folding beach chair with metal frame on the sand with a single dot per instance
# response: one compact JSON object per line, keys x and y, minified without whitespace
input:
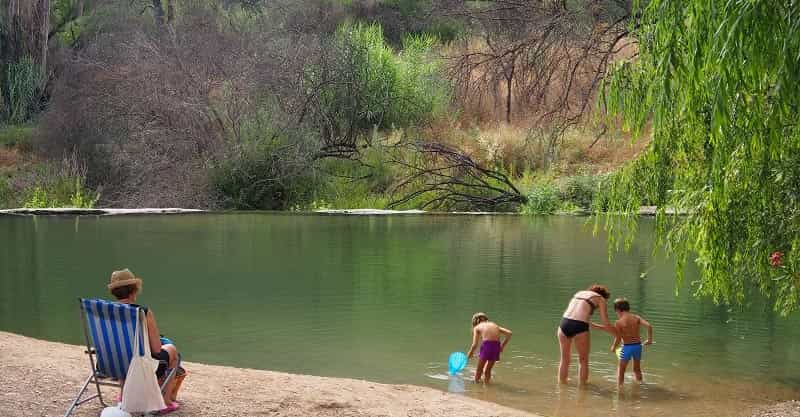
{"x":109,"y":330}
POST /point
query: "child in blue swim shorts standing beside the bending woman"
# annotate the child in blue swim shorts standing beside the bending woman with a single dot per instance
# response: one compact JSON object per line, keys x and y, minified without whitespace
{"x":628,"y":328}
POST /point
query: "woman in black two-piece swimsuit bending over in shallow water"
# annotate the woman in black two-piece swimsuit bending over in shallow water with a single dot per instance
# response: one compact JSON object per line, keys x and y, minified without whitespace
{"x":575,"y":325}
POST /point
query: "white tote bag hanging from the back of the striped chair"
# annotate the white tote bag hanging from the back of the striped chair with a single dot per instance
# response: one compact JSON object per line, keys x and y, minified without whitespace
{"x":141,"y":392}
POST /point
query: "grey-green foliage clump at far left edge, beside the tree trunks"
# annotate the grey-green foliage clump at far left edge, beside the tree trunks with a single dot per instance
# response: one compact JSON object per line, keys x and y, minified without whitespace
{"x":20,"y":88}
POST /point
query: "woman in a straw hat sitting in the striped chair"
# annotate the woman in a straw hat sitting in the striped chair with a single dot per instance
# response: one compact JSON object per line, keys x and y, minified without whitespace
{"x":125,"y":287}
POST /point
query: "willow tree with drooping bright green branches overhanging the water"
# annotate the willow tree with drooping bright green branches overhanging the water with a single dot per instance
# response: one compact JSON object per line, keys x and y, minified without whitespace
{"x":718,"y":84}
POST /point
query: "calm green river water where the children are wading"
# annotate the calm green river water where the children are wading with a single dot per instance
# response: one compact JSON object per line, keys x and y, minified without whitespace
{"x":388,"y":298}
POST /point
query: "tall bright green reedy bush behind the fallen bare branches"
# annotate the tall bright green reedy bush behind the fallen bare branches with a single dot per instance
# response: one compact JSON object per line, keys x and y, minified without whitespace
{"x":374,"y":87}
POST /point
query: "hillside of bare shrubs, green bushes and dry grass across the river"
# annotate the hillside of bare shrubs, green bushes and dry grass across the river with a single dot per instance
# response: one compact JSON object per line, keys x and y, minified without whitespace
{"x":296,"y":105}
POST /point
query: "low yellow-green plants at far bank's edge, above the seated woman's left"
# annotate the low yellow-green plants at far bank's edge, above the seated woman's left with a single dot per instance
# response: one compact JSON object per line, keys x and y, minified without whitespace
{"x":64,"y":192}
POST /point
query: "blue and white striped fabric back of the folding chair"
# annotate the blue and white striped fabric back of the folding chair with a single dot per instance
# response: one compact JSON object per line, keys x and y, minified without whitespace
{"x":112,"y":328}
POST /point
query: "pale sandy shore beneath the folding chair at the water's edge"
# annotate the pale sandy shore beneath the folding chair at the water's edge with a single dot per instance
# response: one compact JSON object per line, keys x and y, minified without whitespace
{"x":39,"y":378}
